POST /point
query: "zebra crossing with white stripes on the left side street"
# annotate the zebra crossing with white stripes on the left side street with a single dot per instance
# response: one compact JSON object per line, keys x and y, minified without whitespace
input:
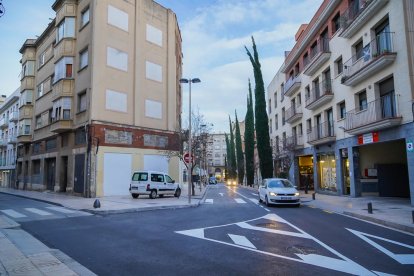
{"x":44,"y":212}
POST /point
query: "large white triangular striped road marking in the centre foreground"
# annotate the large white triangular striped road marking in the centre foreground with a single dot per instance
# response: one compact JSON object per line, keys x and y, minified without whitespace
{"x":341,"y":263}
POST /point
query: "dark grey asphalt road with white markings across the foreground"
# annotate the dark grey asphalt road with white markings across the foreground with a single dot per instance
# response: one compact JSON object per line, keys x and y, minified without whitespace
{"x":231,"y":234}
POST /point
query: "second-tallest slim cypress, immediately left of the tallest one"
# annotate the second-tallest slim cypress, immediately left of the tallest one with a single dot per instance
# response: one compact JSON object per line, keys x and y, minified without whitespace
{"x":249,"y":139}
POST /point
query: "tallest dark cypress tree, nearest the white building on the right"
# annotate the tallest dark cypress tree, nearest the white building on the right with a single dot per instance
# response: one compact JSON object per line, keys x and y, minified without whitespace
{"x":262,"y":122}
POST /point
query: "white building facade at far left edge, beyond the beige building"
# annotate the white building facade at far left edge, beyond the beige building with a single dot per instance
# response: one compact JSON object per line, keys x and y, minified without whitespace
{"x":9,"y":116}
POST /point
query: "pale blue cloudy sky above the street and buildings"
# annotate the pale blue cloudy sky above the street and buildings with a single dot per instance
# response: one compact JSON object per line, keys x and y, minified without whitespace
{"x":214,"y":33}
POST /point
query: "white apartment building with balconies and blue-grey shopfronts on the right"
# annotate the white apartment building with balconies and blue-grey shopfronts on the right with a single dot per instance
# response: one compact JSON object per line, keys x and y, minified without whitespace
{"x":342,"y":103}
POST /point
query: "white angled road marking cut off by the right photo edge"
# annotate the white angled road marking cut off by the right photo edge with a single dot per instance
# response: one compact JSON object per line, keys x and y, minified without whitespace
{"x":401,"y":258}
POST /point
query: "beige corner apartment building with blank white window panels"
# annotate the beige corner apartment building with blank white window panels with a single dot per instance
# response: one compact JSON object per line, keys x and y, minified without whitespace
{"x":100,"y":97}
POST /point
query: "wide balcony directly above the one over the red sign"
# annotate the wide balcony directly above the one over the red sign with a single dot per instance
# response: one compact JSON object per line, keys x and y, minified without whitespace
{"x":377,"y":55}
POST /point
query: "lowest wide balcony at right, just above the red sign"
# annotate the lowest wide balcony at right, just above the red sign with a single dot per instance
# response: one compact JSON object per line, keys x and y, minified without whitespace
{"x":380,"y":114}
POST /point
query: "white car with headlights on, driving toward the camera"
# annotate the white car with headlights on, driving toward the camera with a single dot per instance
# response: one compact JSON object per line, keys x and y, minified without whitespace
{"x":278,"y":191}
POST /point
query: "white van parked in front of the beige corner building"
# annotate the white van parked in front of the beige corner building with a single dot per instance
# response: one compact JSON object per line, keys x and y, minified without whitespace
{"x":153,"y":183}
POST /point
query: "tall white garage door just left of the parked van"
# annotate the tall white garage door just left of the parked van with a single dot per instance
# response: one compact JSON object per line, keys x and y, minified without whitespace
{"x":117,"y":173}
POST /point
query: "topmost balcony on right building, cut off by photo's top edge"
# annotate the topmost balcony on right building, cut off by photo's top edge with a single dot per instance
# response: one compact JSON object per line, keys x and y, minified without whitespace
{"x":357,"y":15}
